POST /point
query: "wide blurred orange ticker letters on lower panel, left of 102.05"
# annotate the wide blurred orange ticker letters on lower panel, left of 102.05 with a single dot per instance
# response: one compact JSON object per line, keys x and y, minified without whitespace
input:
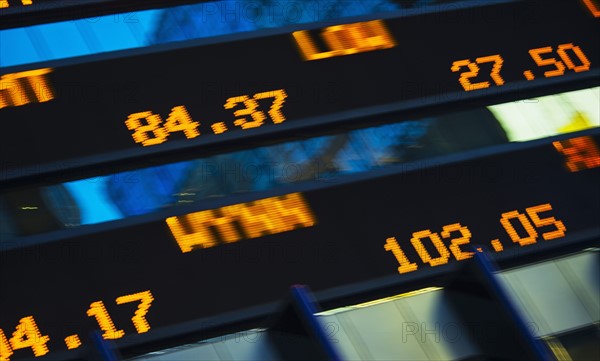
{"x":255,"y":219}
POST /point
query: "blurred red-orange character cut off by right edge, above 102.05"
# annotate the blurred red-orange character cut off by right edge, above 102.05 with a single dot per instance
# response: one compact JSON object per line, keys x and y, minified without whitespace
{"x":580,"y":153}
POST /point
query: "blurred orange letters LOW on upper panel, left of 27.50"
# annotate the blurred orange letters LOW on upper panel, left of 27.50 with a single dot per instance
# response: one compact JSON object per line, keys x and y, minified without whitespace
{"x":346,"y":39}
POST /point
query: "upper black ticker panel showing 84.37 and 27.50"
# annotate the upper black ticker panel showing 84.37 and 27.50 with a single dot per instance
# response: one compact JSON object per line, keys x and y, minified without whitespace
{"x":178,"y":98}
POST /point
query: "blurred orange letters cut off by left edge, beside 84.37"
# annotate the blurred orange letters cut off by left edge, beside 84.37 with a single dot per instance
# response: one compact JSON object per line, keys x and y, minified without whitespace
{"x":12,"y":92}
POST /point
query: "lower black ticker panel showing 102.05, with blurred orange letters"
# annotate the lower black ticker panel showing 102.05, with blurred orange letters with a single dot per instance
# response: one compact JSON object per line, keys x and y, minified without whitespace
{"x":508,"y":203}
